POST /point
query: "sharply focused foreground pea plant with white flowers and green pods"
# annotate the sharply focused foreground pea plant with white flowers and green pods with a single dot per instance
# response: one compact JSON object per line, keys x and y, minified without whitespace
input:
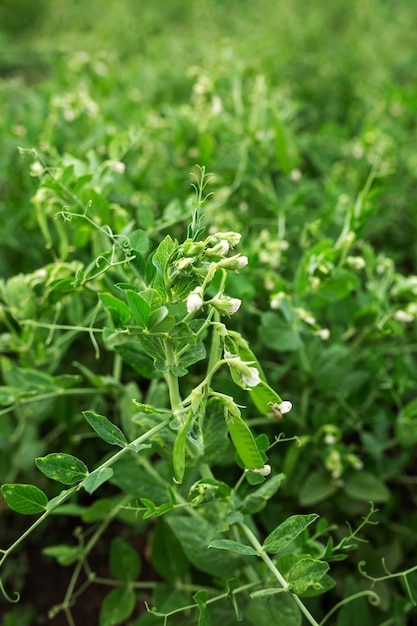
{"x":189,"y":472}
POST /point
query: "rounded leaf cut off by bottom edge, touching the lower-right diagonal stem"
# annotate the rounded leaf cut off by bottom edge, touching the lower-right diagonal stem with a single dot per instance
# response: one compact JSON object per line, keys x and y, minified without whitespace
{"x":273,"y":609}
